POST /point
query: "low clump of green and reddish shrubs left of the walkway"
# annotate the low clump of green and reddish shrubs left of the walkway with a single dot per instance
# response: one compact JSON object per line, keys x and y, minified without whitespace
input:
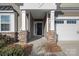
{"x":16,"y":50}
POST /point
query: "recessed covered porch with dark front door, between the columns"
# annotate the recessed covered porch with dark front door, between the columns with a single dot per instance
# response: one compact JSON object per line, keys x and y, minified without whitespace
{"x":36,"y":24}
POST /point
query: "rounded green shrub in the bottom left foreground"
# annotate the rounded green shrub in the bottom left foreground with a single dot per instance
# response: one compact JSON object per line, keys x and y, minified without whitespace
{"x":12,"y":51}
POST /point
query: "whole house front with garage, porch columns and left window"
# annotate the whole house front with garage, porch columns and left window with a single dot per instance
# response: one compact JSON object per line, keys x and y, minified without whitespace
{"x":25,"y":21}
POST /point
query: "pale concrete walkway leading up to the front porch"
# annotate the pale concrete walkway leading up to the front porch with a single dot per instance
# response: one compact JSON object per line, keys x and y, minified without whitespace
{"x":38,"y":48}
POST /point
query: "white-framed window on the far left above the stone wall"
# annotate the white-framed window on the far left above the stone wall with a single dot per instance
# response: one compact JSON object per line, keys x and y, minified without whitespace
{"x":5,"y":22}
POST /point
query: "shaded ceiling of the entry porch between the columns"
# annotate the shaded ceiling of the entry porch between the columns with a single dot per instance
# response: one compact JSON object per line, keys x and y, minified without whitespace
{"x":38,"y":14}
